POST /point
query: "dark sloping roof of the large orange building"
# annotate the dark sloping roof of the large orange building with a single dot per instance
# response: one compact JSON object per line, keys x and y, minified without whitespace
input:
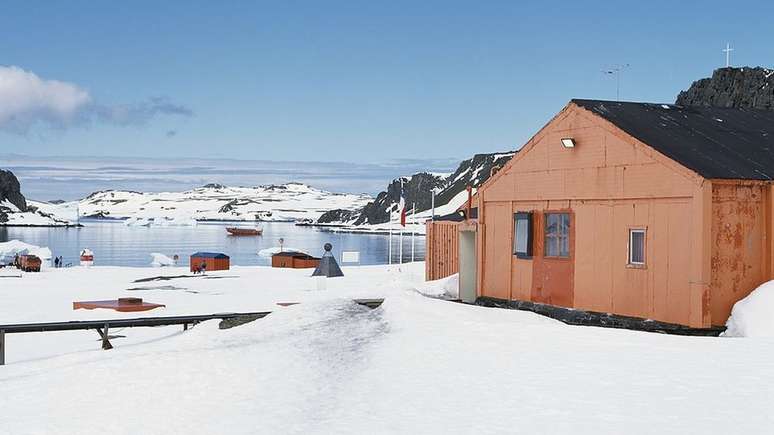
{"x":714,"y":142}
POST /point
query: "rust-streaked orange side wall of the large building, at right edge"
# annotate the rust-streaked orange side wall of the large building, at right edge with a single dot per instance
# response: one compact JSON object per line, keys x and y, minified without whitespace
{"x":738,"y":244}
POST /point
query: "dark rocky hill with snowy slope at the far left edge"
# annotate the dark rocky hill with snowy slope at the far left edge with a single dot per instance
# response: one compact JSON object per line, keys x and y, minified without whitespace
{"x":16,"y":211}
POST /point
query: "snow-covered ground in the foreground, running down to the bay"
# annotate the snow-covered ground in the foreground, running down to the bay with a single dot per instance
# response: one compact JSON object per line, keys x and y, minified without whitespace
{"x":415,"y":365}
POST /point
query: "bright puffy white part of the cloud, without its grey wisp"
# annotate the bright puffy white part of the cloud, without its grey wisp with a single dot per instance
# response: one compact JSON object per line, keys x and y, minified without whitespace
{"x":26,"y":99}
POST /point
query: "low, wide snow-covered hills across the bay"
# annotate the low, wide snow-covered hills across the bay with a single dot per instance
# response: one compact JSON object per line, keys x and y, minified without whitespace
{"x":286,"y":202}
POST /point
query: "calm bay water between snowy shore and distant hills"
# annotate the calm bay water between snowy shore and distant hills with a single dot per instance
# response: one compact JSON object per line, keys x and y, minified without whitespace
{"x":116,"y":244}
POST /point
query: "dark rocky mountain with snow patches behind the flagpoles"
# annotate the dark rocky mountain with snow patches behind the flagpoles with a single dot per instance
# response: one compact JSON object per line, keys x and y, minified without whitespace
{"x":418,"y":190}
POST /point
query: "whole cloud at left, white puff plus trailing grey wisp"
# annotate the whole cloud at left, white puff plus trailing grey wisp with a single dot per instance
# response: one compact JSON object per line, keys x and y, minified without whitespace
{"x":27,"y":100}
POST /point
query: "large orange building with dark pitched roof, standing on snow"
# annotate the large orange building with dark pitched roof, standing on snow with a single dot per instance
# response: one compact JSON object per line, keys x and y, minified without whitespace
{"x":645,"y":210}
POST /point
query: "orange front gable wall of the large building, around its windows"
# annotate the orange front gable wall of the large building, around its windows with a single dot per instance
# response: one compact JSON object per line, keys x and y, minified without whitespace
{"x":611,"y":183}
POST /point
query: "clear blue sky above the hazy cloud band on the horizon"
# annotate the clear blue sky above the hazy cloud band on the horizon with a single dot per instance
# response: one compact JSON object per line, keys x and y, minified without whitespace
{"x":353,"y":81}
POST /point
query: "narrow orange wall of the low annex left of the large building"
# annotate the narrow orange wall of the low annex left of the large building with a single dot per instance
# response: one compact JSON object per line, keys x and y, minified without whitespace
{"x":441,"y":249}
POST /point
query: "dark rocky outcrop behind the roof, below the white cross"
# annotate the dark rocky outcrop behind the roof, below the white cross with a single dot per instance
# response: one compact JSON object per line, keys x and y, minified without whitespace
{"x":732,"y":87}
